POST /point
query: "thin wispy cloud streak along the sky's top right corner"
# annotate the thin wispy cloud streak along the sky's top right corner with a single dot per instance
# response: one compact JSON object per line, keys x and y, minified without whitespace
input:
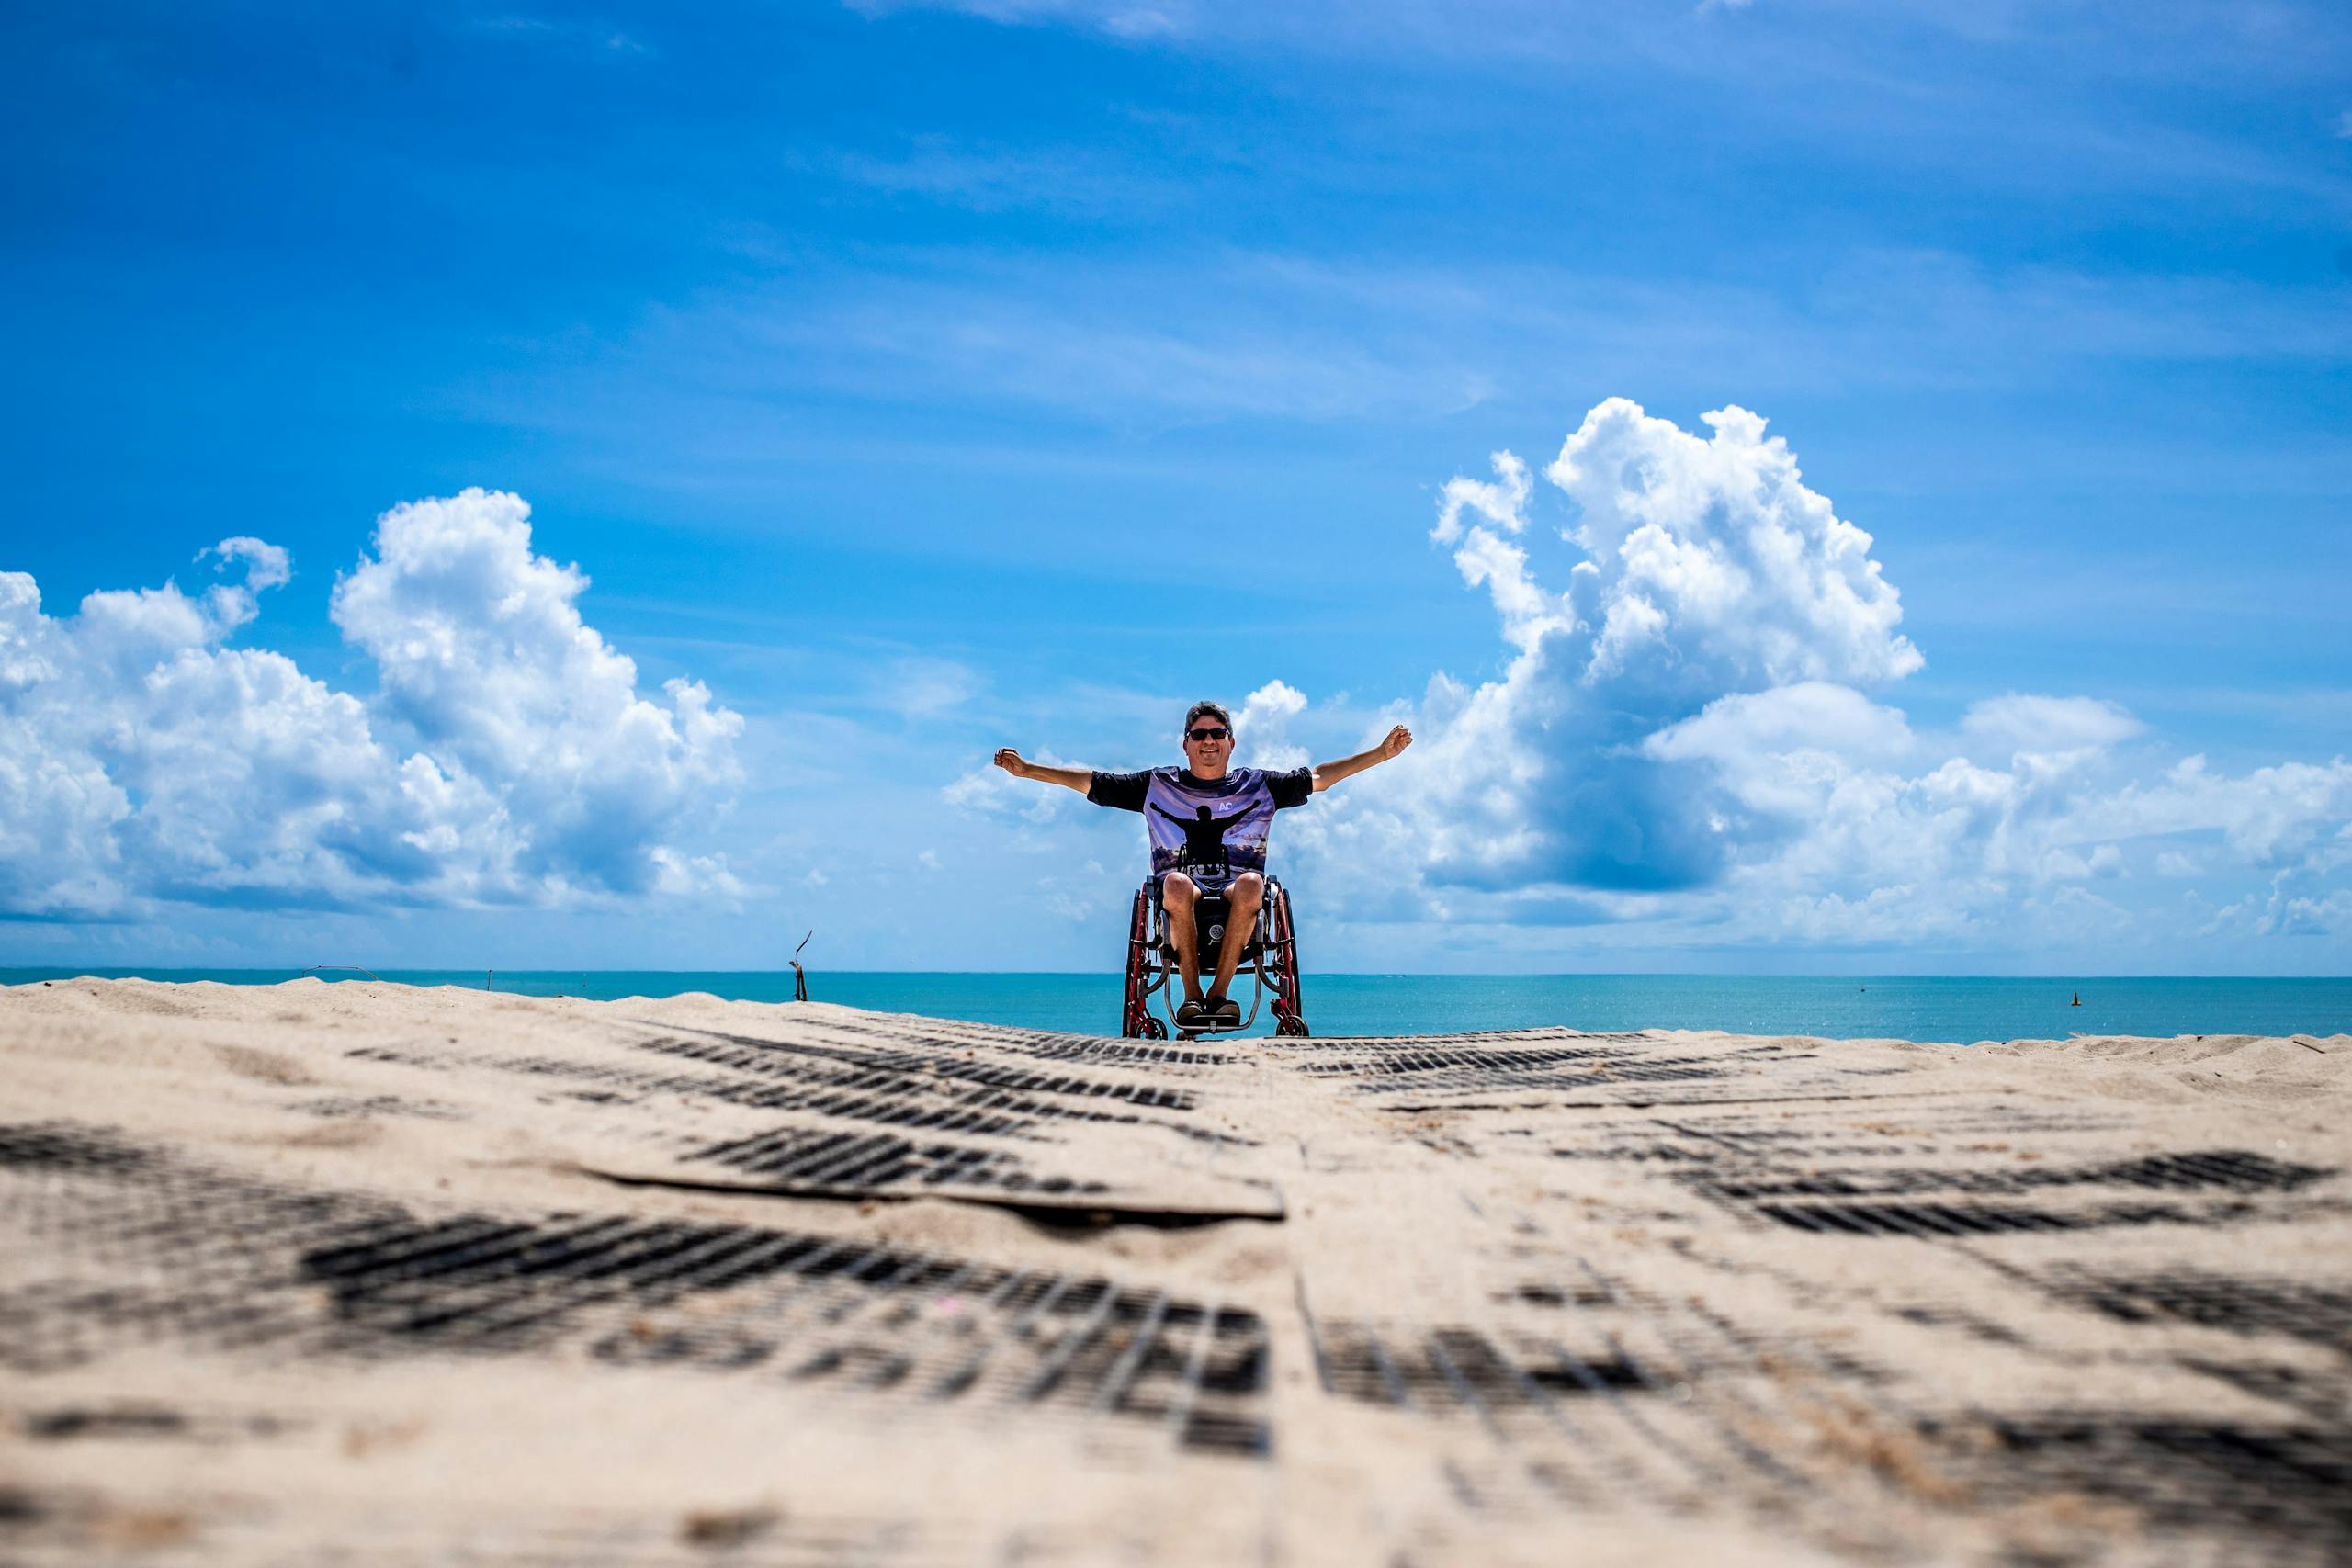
{"x":1909,"y":79}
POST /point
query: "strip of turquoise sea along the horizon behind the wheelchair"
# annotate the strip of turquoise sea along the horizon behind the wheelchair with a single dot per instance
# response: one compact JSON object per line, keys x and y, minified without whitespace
{"x":1838,"y":1007}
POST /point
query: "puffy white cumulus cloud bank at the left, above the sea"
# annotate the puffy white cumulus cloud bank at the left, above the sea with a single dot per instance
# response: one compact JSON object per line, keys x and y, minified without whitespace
{"x":505,"y":756}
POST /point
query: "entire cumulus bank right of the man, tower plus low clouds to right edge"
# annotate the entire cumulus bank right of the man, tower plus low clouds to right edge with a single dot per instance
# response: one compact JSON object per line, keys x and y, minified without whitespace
{"x":1690,"y":730}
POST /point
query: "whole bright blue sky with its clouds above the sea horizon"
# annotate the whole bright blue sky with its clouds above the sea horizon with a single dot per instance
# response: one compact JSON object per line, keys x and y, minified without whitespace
{"x":914,"y":380}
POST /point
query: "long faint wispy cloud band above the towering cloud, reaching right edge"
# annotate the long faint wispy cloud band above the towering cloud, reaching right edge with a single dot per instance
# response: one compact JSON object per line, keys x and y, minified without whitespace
{"x":1236,"y":335}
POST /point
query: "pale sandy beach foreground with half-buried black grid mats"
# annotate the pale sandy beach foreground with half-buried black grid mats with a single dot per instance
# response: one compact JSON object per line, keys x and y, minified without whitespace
{"x":377,"y":1275}
